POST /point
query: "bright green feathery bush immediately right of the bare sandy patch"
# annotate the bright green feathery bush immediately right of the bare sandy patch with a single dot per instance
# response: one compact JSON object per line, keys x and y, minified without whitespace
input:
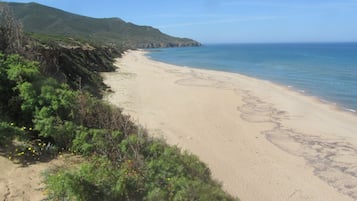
{"x":96,"y":180}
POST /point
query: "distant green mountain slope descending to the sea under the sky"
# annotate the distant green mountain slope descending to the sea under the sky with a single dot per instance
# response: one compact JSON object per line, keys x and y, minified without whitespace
{"x":41,"y":19}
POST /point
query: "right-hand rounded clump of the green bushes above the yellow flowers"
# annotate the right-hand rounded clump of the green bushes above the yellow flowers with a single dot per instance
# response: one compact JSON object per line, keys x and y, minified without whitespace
{"x":54,"y":113}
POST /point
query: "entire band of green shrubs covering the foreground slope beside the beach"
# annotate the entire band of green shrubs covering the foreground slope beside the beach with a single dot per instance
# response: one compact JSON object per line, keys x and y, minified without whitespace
{"x":123,"y":163}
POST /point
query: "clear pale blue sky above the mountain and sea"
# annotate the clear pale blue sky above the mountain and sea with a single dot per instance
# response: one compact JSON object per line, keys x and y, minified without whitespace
{"x":225,"y":21}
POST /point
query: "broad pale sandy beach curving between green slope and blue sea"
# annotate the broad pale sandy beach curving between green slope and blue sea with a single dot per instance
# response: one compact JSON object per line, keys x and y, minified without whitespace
{"x":261,"y":140}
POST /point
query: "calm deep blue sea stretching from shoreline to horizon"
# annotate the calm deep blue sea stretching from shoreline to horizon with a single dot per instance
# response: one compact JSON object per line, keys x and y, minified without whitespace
{"x":324,"y":70}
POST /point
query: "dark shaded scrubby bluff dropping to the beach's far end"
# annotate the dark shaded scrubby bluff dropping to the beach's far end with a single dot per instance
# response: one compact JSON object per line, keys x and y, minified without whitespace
{"x":78,"y":66}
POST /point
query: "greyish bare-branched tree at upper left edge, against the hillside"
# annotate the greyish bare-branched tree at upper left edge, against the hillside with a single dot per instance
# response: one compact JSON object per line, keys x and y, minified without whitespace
{"x":11,"y":34}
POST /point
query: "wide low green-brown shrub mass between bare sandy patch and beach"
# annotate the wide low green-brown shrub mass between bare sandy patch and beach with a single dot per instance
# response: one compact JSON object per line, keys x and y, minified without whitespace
{"x":148,"y":170}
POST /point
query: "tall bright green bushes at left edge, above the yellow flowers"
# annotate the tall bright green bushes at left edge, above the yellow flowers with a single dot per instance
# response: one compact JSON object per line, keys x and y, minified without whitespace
{"x":35,"y":101}
